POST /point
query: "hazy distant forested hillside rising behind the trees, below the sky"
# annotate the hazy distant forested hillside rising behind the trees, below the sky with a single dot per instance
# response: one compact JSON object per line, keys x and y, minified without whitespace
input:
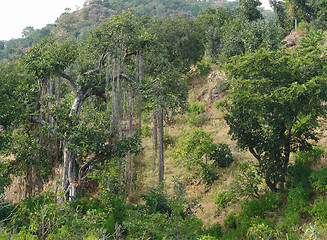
{"x":75,"y":25}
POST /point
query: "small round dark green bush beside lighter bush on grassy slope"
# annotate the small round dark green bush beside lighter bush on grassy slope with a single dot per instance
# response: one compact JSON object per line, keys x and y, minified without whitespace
{"x":222,"y":155}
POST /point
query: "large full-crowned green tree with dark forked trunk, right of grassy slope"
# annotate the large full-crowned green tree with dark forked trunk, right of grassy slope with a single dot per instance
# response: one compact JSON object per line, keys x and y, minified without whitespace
{"x":276,"y":106}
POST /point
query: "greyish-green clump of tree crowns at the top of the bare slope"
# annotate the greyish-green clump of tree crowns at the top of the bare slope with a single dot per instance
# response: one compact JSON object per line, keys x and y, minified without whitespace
{"x":229,"y":33}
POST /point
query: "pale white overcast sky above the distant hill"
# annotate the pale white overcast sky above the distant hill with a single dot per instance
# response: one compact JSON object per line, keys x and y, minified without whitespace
{"x":15,"y":15}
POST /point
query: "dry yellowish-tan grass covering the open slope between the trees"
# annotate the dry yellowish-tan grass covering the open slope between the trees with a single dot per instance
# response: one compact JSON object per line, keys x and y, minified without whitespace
{"x":204,"y":194}
